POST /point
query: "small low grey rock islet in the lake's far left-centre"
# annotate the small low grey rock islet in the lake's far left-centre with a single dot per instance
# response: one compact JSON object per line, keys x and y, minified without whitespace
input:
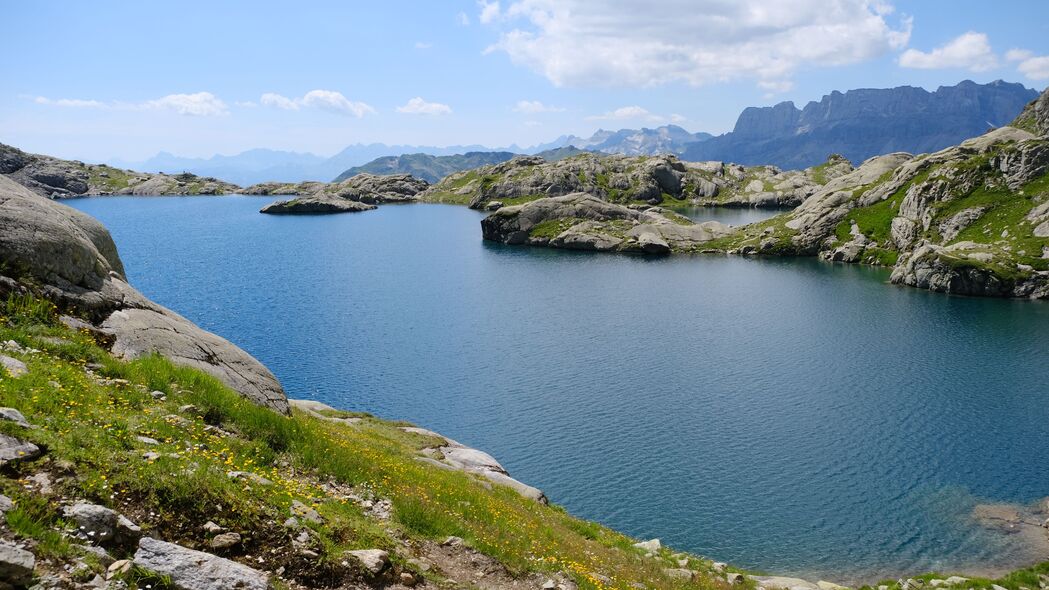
{"x":358,"y":194}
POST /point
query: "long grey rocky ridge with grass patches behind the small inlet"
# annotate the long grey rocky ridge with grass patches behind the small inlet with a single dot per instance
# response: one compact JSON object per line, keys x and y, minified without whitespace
{"x":648,"y":180}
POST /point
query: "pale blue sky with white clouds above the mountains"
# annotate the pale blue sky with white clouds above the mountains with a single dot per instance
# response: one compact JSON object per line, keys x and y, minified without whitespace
{"x":125,"y":80}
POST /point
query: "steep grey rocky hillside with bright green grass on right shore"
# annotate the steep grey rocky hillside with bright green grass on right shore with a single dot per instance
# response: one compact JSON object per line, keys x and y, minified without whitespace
{"x":970,"y":220}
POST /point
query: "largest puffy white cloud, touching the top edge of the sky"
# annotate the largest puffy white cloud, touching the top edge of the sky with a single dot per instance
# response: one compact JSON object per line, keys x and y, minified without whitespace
{"x":628,"y":44}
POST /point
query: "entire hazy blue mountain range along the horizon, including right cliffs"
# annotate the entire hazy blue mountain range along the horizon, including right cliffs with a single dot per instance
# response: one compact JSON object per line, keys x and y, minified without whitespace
{"x":858,"y":124}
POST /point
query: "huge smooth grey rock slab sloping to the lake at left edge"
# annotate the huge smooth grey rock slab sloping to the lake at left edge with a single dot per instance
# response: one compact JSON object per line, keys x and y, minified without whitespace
{"x":72,"y":260}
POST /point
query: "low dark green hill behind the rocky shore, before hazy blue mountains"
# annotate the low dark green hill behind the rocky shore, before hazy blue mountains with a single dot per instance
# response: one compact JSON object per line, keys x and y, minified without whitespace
{"x":433,"y":168}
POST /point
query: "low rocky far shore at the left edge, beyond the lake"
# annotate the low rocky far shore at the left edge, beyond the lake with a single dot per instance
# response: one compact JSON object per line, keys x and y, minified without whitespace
{"x":59,"y":179}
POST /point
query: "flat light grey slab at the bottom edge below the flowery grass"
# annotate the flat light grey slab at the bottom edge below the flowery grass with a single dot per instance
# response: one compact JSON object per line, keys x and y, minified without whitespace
{"x":197,"y":571}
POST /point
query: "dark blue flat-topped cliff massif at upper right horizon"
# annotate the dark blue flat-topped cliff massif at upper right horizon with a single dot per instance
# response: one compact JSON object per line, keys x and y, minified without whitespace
{"x":860,"y":124}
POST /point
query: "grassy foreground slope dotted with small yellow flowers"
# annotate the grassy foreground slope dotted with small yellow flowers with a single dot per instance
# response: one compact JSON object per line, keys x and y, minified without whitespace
{"x":90,"y":425}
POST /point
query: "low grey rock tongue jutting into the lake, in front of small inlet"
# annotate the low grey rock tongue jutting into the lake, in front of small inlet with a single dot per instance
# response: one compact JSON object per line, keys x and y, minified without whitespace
{"x":583,"y":222}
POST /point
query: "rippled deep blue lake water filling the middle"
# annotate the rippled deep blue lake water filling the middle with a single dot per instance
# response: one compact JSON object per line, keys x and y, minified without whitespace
{"x":787,"y":416}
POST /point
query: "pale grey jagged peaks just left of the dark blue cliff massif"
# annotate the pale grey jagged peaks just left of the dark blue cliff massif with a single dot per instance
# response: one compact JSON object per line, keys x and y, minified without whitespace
{"x":669,"y":139}
